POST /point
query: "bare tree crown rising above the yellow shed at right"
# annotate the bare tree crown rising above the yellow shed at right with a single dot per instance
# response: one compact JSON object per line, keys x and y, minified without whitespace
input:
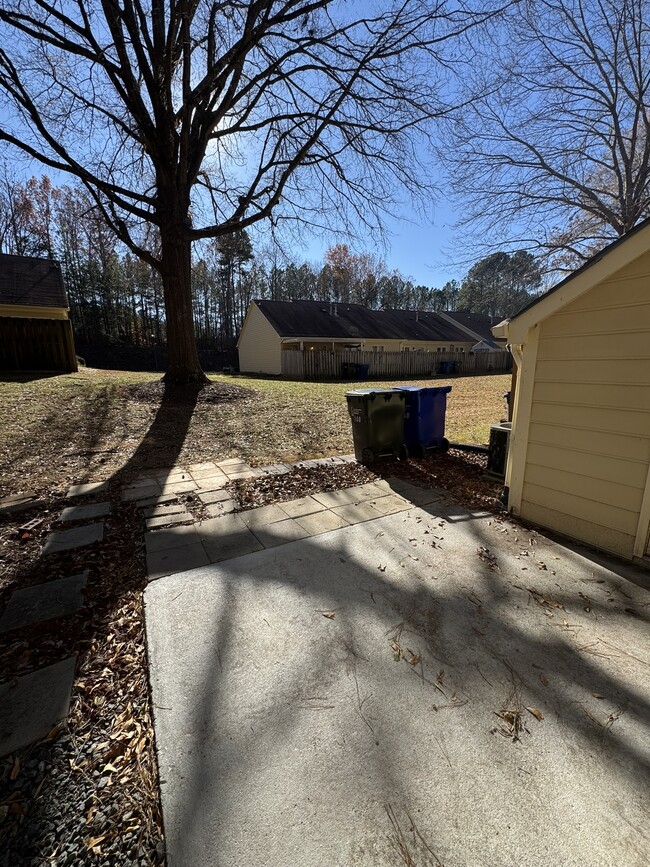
{"x":554,"y":153}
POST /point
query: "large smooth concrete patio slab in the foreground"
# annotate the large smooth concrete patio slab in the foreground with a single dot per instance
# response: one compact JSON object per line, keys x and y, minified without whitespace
{"x":324,"y":702}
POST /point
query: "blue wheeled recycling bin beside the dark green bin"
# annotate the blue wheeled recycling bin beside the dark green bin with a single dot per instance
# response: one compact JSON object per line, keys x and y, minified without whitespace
{"x":424,"y":419}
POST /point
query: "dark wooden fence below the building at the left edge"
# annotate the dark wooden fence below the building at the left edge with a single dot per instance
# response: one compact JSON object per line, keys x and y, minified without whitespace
{"x":36,"y":344}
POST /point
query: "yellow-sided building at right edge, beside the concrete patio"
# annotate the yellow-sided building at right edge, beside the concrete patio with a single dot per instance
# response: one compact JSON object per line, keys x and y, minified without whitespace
{"x":579,"y":459}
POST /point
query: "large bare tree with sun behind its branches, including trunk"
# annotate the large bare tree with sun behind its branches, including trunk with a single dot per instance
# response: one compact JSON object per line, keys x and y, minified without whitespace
{"x":204,"y":118}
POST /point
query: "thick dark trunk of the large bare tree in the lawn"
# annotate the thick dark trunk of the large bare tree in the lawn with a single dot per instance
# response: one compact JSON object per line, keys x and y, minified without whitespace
{"x":176,"y":273}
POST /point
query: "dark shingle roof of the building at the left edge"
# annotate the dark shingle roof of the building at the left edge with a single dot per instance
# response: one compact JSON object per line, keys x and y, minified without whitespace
{"x":32,"y":282}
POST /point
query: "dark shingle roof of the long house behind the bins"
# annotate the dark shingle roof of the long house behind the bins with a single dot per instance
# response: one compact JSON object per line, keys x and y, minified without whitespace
{"x":320,"y":319}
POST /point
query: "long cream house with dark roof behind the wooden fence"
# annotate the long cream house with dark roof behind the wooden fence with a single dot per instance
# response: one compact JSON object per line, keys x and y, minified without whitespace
{"x":272,"y":327}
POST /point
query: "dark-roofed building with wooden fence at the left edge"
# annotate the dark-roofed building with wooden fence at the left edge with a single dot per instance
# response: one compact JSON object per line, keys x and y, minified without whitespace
{"x":35,"y":331}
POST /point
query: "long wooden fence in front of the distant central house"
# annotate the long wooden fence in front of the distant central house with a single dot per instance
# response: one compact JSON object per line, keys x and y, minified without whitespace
{"x":319,"y":364}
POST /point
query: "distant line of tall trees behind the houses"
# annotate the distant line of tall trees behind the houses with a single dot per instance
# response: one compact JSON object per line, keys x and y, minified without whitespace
{"x":116,"y":298}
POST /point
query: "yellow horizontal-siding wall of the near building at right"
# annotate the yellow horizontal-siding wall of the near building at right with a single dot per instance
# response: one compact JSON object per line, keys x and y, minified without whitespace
{"x":588,"y":446}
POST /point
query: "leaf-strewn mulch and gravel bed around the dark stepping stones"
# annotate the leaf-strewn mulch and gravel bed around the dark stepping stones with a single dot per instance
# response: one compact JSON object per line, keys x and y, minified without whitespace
{"x":88,"y":795}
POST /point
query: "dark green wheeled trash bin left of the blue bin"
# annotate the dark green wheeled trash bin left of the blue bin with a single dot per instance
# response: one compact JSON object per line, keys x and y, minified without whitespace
{"x":377,"y":417}
